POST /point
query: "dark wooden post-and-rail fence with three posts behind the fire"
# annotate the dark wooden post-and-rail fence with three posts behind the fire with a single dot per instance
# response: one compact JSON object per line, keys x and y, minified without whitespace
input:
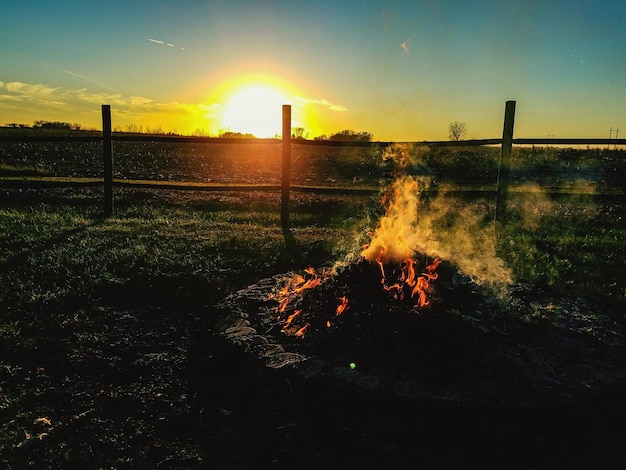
{"x":506,"y":142}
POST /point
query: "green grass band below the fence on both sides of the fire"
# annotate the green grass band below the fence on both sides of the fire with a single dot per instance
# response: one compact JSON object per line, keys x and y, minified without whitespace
{"x":58,"y":253}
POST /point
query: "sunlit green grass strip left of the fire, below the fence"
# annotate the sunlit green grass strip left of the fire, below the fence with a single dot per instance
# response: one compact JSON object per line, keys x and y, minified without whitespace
{"x":57,"y":252}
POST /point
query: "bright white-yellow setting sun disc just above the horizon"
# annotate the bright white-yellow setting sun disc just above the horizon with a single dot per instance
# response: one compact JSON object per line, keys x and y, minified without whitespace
{"x":254,"y":109}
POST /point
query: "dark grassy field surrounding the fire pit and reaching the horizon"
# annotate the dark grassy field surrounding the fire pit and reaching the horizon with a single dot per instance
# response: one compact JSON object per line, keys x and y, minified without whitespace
{"x":109,"y":353}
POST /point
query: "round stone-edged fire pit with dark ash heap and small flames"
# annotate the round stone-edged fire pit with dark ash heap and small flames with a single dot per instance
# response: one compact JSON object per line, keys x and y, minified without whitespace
{"x":466,"y":345}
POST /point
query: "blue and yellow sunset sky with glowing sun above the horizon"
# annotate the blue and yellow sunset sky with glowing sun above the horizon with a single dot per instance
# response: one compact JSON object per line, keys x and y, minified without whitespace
{"x":402,"y":70}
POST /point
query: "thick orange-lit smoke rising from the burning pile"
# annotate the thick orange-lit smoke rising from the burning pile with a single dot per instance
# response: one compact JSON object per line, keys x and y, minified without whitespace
{"x":438,"y":226}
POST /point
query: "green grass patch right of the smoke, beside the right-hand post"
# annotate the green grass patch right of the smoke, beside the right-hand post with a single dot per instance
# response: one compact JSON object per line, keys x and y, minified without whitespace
{"x":577,"y":248}
